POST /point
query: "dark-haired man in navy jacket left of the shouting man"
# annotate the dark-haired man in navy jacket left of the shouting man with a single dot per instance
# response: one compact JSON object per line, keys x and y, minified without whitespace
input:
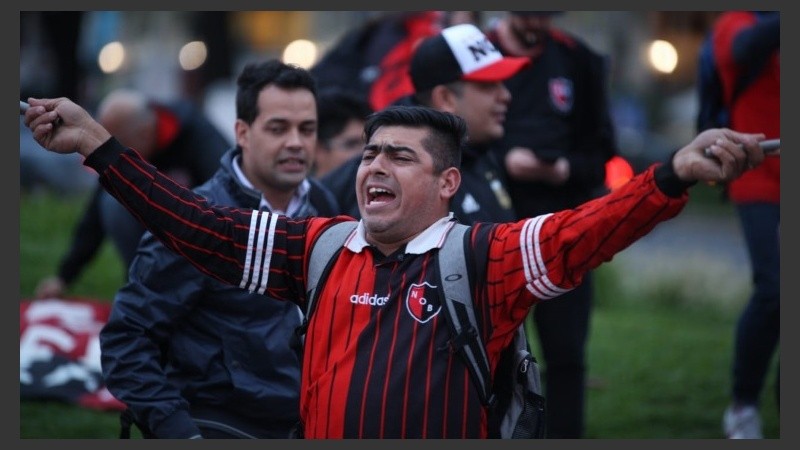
{"x":192,"y":357}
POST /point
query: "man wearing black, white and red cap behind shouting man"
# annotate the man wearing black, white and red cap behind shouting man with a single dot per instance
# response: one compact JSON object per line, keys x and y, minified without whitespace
{"x":461,"y":72}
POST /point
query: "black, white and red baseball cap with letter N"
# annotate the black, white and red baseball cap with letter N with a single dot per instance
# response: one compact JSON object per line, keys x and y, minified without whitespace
{"x":460,"y":52}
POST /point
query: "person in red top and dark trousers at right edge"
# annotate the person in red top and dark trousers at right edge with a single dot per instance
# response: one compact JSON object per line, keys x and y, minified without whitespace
{"x":744,"y":39}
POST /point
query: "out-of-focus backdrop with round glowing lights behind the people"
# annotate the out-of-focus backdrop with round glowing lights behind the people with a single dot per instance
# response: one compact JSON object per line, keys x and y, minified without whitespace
{"x":195,"y":55}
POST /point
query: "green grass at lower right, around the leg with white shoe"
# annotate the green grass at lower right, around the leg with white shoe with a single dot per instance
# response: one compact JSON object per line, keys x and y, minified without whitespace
{"x":663,"y":372}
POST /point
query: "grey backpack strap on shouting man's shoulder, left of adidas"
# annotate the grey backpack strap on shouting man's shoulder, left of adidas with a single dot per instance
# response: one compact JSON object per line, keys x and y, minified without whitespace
{"x":328,"y":244}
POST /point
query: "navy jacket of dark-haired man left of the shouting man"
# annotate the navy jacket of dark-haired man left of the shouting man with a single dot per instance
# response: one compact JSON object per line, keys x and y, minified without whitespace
{"x":179,"y":345}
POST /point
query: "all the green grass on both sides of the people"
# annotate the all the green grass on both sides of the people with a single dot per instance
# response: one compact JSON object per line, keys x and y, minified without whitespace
{"x":658,"y":361}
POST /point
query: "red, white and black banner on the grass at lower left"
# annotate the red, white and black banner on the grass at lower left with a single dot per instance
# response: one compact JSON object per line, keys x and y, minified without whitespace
{"x":59,"y":352}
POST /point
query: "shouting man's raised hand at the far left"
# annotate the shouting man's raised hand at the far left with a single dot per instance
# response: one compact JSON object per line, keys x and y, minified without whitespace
{"x":61,"y":126}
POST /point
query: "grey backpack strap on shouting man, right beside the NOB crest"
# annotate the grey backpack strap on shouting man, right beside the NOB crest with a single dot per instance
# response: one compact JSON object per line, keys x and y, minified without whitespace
{"x":465,"y":338}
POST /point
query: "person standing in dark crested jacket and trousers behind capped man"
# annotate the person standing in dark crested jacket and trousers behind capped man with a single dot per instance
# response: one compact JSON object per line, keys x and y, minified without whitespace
{"x":559,"y":135}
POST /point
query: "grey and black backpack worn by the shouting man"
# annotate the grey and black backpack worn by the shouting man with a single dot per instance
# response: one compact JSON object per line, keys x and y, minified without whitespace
{"x":514,"y":398}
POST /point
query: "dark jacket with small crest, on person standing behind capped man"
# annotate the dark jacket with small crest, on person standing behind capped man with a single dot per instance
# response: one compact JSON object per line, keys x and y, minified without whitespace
{"x":560,"y":107}
